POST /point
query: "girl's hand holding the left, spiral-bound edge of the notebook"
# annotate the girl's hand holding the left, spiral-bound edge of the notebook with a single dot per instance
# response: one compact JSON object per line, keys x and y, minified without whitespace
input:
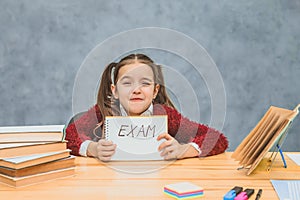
{"x":102,"y":149}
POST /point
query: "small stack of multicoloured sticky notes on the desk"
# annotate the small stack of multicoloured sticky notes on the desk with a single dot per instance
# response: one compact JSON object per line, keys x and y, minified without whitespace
{"x":183,"y":190}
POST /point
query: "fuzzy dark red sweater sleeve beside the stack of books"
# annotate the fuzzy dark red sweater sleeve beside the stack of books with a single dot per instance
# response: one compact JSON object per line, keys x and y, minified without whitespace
{"x":82,"y":129}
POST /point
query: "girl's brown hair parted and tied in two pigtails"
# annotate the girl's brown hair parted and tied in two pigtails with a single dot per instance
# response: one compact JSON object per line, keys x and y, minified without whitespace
{"x":106,"y":102}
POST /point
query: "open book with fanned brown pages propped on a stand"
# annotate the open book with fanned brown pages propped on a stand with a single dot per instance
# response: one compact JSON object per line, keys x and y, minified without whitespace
{"x":270,"y":132}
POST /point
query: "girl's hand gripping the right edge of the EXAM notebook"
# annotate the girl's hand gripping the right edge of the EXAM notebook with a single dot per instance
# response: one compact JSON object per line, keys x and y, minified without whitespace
{"x":170,"y":148}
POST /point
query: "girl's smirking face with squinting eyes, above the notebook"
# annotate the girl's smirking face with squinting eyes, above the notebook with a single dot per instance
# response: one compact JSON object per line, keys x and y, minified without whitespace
{"x":135,"y":88}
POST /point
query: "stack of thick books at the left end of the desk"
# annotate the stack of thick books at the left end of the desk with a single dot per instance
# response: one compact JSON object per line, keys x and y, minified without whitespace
{"x":33,"y":154}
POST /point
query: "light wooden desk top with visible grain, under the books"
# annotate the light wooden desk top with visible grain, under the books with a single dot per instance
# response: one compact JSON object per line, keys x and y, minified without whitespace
{"x":97,"y":180}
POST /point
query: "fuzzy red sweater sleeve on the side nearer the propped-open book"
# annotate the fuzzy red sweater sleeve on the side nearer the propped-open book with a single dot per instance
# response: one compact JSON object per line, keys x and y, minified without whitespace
{"x":210,"y":141}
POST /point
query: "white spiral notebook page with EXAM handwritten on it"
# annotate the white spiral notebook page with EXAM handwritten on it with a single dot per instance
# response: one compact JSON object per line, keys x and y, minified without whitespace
{"x":135,"y":136}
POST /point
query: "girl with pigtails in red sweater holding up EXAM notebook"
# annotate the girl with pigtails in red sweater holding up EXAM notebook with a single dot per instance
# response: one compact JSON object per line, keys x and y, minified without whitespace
{"x":135,"y":86}
